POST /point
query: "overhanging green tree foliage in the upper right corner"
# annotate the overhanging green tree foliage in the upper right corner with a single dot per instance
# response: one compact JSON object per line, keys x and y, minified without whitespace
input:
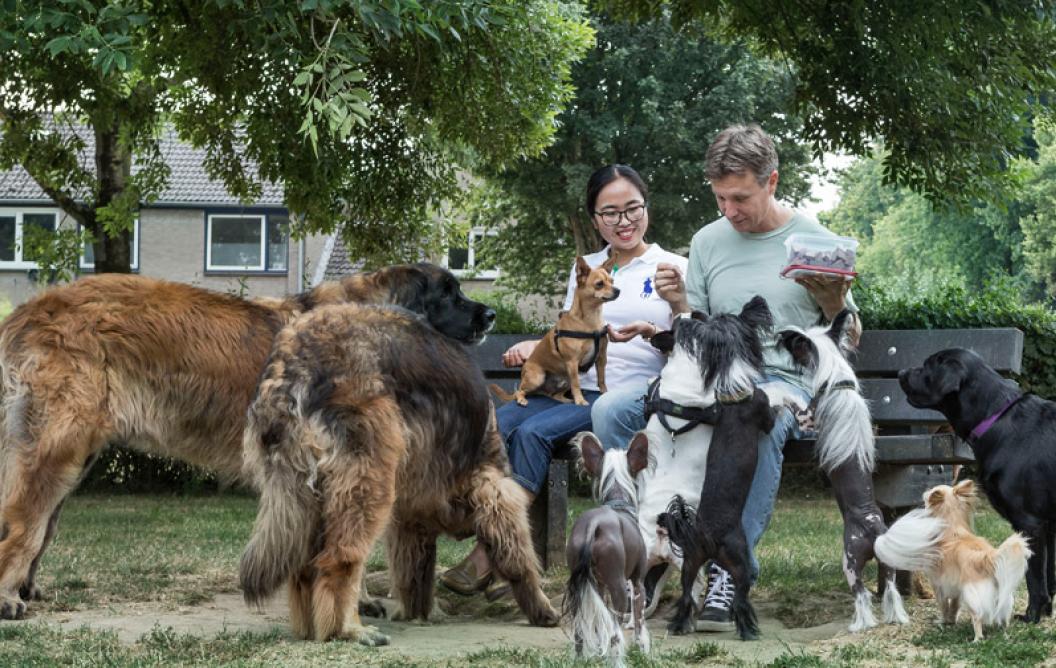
{"x":948,"y":87}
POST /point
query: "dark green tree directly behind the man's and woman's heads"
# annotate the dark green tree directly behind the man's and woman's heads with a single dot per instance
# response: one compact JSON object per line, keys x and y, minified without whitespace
{"x":653,"y":99}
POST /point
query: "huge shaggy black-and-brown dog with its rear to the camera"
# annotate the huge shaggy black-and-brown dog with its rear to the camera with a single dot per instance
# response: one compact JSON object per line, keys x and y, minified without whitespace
{"x":366,"y":421}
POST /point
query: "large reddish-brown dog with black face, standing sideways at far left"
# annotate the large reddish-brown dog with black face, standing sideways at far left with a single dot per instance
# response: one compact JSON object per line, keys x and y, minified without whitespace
{"x":163,"y":368}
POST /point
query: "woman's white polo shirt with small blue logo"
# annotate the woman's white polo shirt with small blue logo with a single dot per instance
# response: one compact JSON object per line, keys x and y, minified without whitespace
{"x":635,"y":361}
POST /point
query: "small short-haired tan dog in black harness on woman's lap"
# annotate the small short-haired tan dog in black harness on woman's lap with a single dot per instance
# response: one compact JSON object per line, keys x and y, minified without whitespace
{"x":578,"y":342}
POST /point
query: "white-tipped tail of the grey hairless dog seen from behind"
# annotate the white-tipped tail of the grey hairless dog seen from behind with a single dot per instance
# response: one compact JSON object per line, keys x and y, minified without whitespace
{"x":596,"y":628}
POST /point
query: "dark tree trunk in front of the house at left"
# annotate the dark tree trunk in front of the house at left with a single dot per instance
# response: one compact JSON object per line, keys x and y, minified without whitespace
{"x":114,"y":164}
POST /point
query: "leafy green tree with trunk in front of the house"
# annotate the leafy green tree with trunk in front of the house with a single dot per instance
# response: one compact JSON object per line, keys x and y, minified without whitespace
{"x":361,"y":108}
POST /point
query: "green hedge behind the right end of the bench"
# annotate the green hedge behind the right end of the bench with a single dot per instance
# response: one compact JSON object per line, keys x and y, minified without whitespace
{"x":952,"y":307}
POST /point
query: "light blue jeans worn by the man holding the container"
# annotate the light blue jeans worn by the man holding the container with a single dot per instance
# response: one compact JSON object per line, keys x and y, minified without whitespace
{"x":618,"y":415}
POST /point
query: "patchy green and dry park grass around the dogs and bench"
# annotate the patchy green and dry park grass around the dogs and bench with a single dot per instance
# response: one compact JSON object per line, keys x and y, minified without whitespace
{"x":178,"y":551}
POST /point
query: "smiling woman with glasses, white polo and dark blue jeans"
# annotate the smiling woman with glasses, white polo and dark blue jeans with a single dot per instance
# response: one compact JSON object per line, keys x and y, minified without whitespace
{"x":616,"y":202}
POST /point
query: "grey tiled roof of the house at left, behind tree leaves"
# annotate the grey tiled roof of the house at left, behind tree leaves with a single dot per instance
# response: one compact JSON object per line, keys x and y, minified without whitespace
{"x":188,"y":184}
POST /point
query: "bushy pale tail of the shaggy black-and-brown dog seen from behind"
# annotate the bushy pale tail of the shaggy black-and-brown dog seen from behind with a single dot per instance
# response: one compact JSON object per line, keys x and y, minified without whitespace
{"x":278,"y":452}
